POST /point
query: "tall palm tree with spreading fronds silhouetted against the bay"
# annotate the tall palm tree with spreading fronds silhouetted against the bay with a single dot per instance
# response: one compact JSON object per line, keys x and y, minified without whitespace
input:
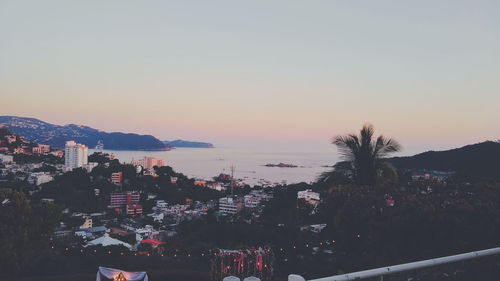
{"x":365,"y":153}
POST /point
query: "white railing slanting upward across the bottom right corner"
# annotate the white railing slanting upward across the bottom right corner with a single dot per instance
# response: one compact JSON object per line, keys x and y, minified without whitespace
{"x":401,"y":267}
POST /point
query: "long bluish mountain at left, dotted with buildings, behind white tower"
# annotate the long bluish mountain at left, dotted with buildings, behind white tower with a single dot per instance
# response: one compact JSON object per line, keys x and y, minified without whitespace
{"x":56,"y":136}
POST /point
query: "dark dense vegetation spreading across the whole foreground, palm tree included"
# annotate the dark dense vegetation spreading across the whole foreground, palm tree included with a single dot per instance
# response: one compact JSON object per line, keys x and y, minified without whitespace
{"x":373,"y":218}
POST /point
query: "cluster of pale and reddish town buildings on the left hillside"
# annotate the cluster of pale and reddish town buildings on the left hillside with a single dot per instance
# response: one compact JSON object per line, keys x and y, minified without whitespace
{"x":124,"y":214}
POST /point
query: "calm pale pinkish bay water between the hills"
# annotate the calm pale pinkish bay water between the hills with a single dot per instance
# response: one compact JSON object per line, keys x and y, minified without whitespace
{"x":249,"y":163}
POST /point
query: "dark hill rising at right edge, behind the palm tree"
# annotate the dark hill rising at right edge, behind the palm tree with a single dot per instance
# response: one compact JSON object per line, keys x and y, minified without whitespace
{"x":480,"y":160}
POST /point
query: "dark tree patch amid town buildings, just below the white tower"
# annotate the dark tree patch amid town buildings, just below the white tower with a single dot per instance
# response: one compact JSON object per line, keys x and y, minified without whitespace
{"x":77,"y":189}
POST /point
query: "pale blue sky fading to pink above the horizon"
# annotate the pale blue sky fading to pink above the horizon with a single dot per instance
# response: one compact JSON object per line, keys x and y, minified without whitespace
{"x":257,"y":72}
